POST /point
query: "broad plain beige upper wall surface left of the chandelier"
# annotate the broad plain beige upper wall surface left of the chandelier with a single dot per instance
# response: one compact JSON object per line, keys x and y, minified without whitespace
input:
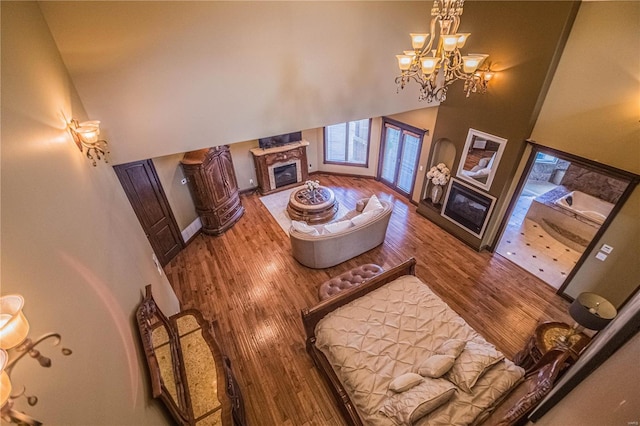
{"x":167,"y":77}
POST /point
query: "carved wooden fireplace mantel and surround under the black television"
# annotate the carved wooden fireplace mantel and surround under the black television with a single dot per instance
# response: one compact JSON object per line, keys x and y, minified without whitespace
{"x":266,"y":160}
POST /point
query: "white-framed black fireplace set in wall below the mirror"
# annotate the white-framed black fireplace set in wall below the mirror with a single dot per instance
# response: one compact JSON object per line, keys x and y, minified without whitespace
{"x":467,"y":207}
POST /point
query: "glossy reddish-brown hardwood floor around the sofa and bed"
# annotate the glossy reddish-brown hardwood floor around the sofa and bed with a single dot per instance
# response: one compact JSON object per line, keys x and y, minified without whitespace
{"x":249,"y":285}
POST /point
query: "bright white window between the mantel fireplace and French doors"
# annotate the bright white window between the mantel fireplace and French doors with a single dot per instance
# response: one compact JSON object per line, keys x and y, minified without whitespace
{"x":347,"y":142}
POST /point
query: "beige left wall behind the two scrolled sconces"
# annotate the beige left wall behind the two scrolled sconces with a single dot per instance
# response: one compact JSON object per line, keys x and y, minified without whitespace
{"x":71,"y":244}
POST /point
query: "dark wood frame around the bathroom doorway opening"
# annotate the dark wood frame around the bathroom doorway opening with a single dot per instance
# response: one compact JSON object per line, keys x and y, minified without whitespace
{"x":584,"y":162}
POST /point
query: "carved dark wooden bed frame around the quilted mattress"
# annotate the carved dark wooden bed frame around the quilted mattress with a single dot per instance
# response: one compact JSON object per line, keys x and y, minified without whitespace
{"x":511,"y":410}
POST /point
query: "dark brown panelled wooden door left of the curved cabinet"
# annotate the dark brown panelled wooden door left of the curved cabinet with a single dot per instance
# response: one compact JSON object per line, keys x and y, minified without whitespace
{"x":144,"y":191}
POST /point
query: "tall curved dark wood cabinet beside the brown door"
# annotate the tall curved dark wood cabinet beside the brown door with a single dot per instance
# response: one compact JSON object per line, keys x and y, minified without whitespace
{"x":214,"y":188}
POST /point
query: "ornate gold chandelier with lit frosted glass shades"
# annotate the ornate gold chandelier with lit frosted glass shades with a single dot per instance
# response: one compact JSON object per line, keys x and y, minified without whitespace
{"x":435,"y":63}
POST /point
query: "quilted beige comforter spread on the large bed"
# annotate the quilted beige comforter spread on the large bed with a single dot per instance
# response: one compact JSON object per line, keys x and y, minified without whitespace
{"x":389,"y":332}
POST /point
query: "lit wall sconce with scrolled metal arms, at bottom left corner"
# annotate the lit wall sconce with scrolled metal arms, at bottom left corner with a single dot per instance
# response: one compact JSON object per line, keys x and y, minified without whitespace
{"x":14,"y":345}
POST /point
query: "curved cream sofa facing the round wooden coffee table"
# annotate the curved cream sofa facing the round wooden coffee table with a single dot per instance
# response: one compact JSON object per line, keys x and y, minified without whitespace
{"x":326,"y":249}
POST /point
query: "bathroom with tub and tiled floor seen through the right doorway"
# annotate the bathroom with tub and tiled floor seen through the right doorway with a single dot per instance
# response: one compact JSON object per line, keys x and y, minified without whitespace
{"x":560,"y":208}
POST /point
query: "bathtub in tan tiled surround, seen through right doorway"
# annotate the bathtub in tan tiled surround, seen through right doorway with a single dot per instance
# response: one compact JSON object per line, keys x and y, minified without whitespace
{"x":573,"y":218}
